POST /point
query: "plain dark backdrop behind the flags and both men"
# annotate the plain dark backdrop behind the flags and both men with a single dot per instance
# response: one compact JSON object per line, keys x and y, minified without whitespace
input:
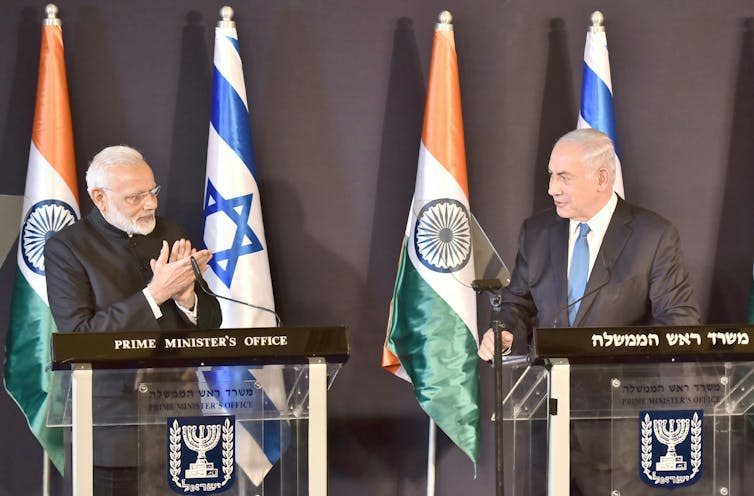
{"x":336,"y":90}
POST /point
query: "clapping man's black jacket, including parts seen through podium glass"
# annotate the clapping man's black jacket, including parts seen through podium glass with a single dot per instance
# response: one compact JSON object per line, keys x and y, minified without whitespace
{"x":95,"y":276}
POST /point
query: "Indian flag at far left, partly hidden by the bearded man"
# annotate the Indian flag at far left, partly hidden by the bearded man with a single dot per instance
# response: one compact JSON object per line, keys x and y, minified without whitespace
{"x":50,"y":203}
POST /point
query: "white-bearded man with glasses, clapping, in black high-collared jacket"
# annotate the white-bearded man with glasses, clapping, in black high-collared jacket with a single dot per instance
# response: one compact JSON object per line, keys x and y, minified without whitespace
{"x":123,"y":268}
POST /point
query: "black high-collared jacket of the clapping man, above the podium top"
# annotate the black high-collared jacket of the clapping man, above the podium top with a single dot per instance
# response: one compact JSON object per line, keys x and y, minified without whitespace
{"x":96,"y":272}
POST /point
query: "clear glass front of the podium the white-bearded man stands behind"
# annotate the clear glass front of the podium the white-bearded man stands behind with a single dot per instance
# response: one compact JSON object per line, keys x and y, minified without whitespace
{"x":232,"y":429}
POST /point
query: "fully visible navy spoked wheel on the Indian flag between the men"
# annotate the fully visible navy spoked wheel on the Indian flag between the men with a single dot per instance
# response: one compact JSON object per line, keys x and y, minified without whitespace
{"x":442,"y":236}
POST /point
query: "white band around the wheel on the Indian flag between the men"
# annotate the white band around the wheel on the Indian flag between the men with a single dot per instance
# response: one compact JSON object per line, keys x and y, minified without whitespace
{"x":434,"y":181}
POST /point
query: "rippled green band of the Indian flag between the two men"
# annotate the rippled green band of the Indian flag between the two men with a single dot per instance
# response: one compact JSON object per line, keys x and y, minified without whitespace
{"x":438,"y":352}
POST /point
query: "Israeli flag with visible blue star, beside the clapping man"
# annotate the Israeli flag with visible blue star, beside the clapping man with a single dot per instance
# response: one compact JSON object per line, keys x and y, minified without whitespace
{"x":234,"y":231}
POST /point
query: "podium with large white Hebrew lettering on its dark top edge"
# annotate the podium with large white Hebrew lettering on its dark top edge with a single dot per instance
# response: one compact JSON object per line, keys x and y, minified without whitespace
{"x":634,"y":411}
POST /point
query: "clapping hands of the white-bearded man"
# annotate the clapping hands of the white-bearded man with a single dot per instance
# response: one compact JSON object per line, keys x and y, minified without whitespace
{"x":172,"y":274}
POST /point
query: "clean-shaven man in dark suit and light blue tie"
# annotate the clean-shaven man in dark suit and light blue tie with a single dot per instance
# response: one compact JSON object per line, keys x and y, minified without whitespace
{"x":628,"y":259}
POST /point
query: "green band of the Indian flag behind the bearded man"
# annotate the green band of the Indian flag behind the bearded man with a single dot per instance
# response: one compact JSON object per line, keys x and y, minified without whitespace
{"x":27,"y":352}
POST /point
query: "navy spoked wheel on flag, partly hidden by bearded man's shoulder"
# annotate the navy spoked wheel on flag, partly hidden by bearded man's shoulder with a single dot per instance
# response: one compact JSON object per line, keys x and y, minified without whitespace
{"x":44,"y":219}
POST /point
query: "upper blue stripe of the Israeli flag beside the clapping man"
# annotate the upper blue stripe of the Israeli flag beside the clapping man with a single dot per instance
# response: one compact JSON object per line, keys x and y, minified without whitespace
{"x":231,"y":121}
